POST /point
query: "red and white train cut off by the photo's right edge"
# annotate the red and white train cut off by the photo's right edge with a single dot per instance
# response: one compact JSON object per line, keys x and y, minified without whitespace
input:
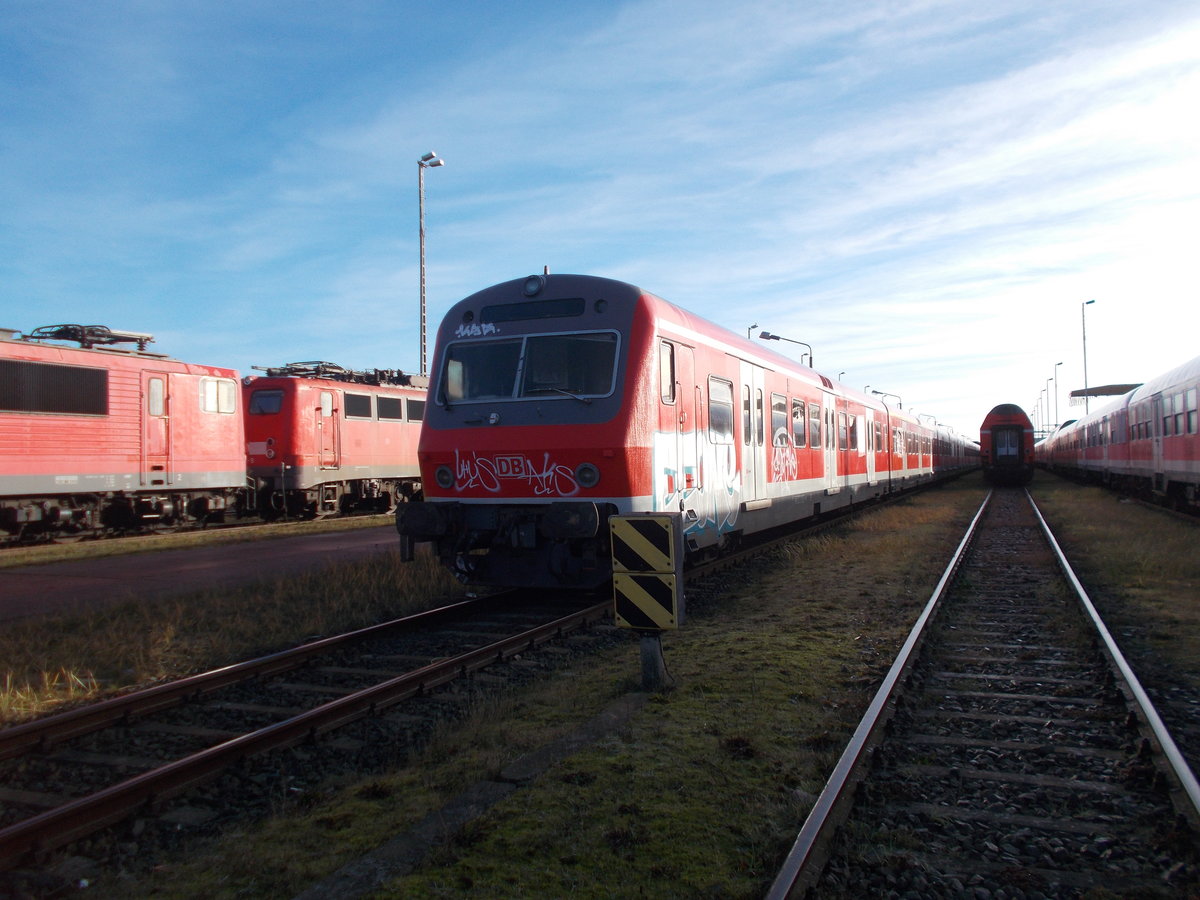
{"x":1148,"y":442}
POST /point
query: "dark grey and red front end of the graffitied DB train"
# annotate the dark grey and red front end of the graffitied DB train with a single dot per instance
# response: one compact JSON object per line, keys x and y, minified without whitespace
{"x":527,"y":447}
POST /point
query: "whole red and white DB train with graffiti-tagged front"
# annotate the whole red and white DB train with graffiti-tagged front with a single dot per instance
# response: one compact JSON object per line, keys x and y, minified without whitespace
{"x":561,"y":400}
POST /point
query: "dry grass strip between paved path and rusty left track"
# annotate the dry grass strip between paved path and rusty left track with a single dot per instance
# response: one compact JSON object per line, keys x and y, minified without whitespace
{"x":56,"y":659}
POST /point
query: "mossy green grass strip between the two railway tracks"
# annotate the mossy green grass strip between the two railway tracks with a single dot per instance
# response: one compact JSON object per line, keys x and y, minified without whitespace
{"x":699,"y":795}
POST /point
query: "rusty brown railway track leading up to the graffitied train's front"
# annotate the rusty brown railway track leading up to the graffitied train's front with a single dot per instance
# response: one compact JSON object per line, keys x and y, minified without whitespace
{"x":69,"y":776}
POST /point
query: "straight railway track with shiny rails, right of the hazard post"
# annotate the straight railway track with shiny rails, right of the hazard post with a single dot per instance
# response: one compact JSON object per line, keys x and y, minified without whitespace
{"x":1010,"y":752}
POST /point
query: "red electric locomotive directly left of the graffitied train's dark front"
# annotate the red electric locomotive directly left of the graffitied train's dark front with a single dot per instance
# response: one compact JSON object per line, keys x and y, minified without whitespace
{"x":322,"y":440}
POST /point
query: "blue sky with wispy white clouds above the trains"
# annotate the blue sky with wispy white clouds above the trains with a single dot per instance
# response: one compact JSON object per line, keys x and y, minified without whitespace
{"x":925,"y":191}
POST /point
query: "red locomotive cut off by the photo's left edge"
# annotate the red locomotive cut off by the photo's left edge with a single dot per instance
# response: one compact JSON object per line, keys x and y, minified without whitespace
{"x":98,"y":439}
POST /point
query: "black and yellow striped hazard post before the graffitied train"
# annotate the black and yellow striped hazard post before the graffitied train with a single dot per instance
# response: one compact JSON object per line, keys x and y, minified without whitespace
{"x":647,"y":584}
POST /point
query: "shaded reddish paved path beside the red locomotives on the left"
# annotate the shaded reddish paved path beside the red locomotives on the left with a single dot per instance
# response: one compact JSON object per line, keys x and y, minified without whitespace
{"x":62,"y":587}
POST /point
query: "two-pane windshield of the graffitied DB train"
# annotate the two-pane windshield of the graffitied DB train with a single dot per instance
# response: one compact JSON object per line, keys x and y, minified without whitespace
{"x":575,"y":365}
